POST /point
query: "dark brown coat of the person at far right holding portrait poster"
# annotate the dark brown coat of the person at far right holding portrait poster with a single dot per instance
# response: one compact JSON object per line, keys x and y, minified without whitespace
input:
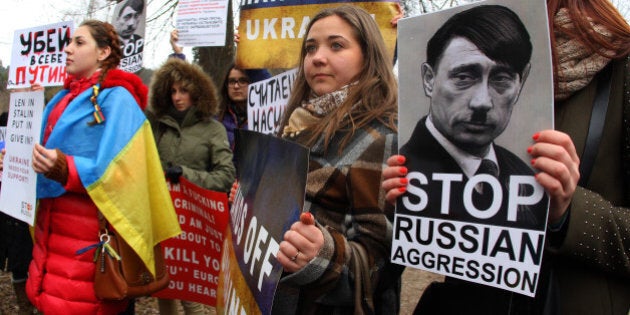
{"x":592,"y":260}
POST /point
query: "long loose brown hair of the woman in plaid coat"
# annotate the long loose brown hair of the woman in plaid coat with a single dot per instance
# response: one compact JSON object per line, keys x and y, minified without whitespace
{"x":374,"y":96}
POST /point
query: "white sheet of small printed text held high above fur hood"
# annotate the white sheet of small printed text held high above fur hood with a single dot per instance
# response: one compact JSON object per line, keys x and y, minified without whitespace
{"x":201,"y":22}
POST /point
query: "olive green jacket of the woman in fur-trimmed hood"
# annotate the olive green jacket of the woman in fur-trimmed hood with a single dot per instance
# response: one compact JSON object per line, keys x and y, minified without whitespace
{"x":199,"y":146}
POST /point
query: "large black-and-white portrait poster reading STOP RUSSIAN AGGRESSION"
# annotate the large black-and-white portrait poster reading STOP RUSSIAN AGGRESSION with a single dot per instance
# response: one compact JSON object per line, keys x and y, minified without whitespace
{"x":468,"y":107}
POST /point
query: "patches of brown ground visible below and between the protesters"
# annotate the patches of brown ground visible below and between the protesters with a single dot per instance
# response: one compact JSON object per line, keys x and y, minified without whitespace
{"x":414,"y":282}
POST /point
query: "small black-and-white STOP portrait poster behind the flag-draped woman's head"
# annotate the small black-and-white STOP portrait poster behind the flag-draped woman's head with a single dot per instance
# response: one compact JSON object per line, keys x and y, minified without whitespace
{"x":129,"y":20}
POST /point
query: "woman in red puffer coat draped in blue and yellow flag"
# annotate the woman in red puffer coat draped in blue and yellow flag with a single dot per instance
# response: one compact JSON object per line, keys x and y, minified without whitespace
{"x":94,"y":158}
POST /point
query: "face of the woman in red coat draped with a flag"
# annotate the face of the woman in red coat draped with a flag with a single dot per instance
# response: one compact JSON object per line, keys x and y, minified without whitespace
{"x":84,"y":57}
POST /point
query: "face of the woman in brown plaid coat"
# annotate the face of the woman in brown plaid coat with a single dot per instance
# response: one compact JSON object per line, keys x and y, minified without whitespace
{"x":333,"y":55}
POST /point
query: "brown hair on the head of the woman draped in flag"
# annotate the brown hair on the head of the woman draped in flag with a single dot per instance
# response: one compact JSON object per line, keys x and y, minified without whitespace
{"x":105,"y":35}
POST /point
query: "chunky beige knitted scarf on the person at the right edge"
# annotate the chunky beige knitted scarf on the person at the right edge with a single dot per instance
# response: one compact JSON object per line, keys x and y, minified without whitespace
{"x":577,"y":64}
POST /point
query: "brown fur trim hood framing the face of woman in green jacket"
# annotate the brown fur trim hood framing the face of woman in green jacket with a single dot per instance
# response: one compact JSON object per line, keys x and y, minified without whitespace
{"x":191,"y":77}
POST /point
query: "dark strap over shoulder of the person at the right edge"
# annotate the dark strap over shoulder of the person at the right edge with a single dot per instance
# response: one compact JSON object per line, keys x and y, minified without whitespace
{"x":596,"y":124}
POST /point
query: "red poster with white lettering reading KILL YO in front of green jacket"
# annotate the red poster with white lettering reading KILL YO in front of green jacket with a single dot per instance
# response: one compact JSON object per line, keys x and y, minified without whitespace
{"x":193,"y":258}
